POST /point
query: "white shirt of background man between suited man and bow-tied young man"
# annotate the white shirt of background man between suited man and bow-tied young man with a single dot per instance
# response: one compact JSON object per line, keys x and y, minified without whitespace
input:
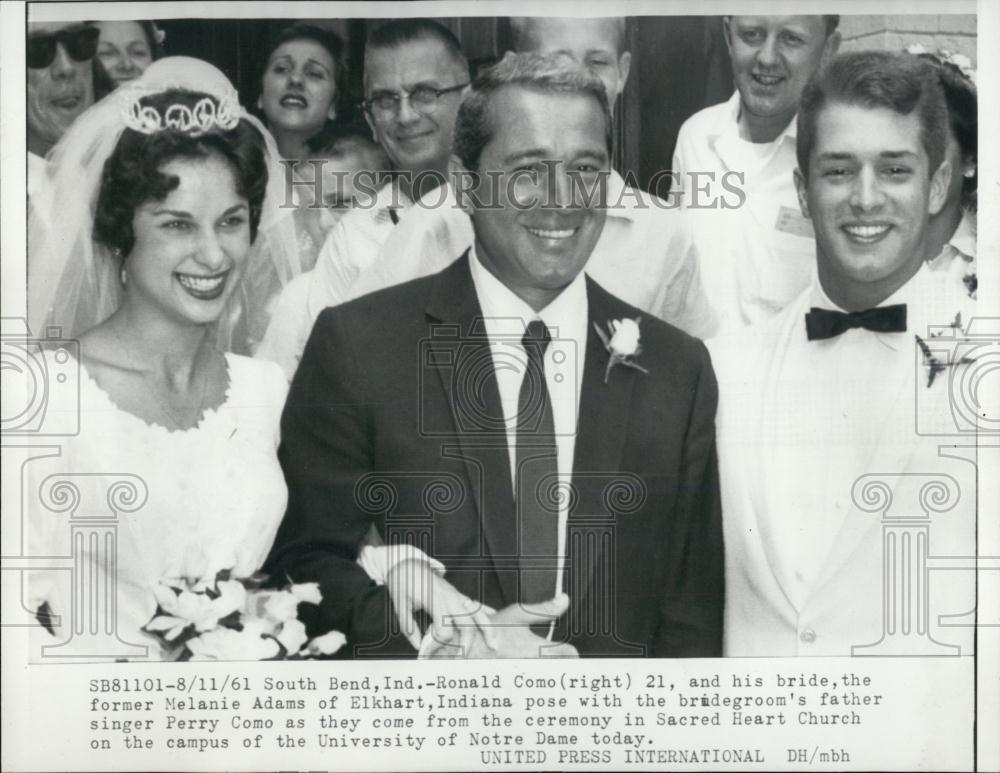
{"x":755,"y":250}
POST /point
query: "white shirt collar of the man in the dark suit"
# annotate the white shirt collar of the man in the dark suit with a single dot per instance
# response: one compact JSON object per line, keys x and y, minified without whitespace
{"x":506,"y":314}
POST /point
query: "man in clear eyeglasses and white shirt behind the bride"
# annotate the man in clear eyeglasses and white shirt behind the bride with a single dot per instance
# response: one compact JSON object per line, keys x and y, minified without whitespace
{"x":414,"y":78}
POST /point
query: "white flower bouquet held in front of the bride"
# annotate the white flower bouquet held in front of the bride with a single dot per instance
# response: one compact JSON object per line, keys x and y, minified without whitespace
{"x":229,"y":618}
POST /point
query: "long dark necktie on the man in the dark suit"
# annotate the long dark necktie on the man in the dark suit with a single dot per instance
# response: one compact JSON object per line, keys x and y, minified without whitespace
{"x":535,"y":474}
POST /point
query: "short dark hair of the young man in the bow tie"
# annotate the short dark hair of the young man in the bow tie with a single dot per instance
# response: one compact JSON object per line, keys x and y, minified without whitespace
{"x":875,"y":79}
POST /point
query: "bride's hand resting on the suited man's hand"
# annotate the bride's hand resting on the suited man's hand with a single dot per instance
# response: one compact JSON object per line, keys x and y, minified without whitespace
{"x":456,"y":620}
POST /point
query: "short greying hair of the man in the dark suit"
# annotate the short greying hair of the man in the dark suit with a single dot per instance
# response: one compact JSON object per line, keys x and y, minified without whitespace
{"x":547,"y":73}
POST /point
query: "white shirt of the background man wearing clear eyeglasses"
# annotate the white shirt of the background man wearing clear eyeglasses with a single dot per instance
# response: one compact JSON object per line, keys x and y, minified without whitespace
{"x":352,"y":245}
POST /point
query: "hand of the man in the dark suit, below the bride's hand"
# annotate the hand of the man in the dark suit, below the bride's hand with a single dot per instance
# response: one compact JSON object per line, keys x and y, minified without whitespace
{"x":514,"y":637}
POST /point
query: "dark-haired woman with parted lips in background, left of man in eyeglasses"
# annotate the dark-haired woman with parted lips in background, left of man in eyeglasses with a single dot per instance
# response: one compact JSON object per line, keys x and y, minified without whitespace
{"x":300,"y":86}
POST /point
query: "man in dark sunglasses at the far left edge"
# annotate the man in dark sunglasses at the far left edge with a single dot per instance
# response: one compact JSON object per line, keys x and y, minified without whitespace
{"x":60,"y":79}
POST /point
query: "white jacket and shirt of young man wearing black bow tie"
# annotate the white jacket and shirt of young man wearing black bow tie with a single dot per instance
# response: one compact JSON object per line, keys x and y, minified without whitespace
{"x":799,"y":422}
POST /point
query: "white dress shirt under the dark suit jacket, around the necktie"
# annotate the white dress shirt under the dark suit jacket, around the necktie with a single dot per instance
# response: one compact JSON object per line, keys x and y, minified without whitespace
{"x":506,"y":318}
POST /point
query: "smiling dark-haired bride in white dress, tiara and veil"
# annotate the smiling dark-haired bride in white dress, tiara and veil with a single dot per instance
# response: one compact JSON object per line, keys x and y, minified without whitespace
{"x":141,"y":251}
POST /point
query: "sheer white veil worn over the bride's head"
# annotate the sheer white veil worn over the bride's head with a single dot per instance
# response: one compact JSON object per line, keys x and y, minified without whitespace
{"x":74,"y":282}
